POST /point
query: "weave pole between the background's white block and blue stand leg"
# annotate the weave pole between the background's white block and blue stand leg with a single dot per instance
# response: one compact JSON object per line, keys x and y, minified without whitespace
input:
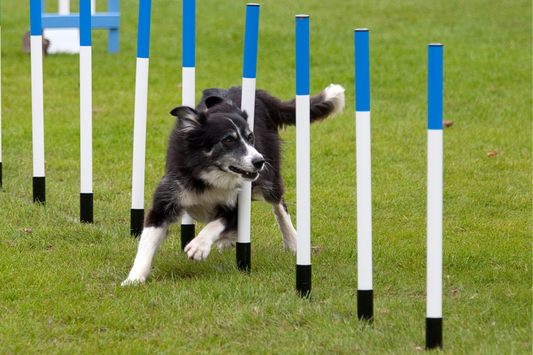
{"x":86,"y":149}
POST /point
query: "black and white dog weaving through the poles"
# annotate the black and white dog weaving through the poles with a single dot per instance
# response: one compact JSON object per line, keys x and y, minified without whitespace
{"x":211,"y":152}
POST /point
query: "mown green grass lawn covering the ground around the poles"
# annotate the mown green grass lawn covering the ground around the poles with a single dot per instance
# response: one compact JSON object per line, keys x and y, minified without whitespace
{"x":60,"y":280}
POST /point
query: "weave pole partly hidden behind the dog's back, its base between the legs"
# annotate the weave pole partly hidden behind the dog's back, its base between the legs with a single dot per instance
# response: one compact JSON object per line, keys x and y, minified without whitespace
{"x":188,"y":91}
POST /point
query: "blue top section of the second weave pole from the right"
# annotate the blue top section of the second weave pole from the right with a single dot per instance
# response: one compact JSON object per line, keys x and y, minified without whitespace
{"x":362,"y":70}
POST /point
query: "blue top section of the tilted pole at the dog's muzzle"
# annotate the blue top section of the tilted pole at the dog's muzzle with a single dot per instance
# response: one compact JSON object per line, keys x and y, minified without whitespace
{"x":251,"y":35}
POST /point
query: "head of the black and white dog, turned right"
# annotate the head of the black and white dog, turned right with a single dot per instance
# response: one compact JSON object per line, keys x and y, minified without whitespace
{"x":222,"y":135}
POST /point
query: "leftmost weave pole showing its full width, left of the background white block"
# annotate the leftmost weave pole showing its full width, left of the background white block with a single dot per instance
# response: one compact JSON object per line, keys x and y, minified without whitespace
{"x":37,"y":104}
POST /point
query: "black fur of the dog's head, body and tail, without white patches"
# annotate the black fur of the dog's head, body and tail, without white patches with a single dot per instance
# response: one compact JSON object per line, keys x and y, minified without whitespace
{"x":196,"y":134}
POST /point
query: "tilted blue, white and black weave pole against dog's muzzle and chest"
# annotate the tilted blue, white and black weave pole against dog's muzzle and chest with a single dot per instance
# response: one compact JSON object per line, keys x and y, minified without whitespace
{"x":251,"y":37}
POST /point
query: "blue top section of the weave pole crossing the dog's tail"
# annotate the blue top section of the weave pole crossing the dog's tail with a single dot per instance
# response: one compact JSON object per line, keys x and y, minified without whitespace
{"x":302,"y":55}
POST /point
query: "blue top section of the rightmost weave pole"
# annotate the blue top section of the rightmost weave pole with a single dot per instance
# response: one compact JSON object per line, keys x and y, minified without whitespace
{"x":435,"y":85}
